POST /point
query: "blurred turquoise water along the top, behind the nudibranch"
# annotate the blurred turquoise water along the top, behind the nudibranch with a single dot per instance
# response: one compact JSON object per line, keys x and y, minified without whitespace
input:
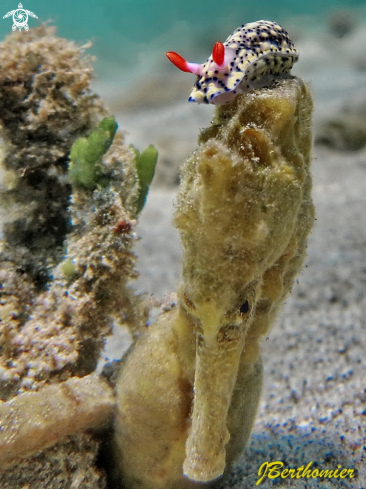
{"x":130,"y":37}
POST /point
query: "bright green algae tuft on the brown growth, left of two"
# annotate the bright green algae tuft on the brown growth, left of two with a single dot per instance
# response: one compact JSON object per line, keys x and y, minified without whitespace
{"x":86,"y":156}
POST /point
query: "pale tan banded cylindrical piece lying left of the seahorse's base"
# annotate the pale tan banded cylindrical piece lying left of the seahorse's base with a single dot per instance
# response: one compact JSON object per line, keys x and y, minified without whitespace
{"x":59,"y":410}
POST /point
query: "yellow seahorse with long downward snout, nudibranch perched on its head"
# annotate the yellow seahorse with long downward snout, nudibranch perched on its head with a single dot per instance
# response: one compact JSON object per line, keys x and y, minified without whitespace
{"x":188,"y":392}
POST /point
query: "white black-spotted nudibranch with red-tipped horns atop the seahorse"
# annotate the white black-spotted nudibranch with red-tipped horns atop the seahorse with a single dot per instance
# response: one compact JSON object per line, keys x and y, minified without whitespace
{"x":252,"y":57}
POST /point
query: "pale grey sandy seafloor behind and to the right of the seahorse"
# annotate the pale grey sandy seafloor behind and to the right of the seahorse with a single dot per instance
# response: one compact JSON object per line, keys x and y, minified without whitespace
{"x":313,"y":406}
